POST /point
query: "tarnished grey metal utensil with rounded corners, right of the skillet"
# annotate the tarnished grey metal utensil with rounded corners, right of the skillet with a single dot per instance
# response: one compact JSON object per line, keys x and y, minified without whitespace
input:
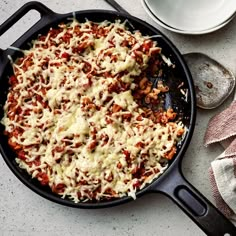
{"x":213,"y":82}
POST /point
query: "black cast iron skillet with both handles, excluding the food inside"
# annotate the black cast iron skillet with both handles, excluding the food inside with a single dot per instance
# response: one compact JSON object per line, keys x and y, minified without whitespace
{"x":171,"y":183}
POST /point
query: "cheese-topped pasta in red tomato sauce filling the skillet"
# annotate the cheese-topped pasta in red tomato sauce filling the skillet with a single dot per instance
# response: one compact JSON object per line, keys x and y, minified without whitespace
{"x":82,"y":116}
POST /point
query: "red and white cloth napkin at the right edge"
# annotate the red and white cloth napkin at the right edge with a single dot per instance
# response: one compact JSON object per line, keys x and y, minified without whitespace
{"x":222,"y":128}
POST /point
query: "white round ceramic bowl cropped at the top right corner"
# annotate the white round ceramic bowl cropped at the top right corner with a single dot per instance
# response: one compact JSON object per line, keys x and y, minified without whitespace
{"x":191,"y":16}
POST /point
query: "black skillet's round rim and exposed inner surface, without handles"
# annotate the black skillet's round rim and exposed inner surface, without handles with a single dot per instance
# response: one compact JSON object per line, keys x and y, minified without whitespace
{"x":183,"y":105}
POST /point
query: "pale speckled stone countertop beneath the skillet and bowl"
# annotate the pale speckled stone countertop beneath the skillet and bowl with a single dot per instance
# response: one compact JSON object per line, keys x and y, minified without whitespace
{"x":22,"y":212}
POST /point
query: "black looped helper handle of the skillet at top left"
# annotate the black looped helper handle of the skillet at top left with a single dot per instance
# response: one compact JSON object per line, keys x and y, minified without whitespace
{"x":42,"y":9}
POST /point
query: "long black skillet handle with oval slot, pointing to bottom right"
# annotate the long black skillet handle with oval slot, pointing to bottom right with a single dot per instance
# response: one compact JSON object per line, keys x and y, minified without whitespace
{"x":194,"y":204}
